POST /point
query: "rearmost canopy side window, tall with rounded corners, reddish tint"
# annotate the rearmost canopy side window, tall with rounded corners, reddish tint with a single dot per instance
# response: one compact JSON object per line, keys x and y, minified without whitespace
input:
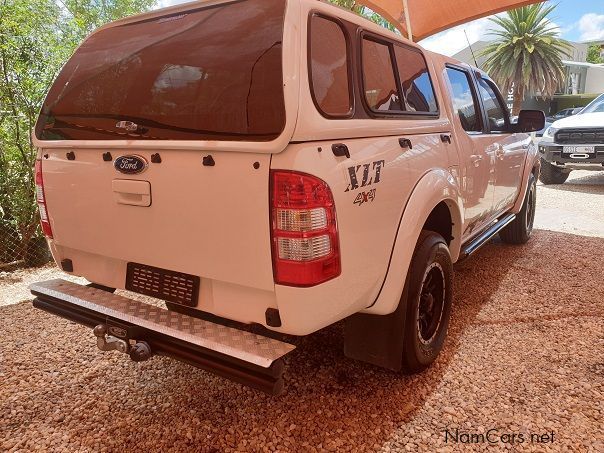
{"x":329,"y":67}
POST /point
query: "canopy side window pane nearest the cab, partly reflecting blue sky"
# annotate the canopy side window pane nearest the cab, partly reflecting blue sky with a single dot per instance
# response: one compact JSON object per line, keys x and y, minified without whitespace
{"x":417,"y":87}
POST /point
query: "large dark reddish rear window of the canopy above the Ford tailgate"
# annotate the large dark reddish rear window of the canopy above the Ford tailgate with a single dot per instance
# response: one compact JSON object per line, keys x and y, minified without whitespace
{"x":211,"y":73}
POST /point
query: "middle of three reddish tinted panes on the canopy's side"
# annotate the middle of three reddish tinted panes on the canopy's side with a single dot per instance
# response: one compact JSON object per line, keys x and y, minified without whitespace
{"x":378,"y":74}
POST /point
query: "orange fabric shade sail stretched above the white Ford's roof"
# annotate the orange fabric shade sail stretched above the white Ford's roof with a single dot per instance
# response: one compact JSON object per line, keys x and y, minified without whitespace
{"x":428,"y":17}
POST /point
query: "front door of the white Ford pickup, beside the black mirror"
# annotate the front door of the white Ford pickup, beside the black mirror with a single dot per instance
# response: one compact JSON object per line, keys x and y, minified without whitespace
{"x":510,"y":148}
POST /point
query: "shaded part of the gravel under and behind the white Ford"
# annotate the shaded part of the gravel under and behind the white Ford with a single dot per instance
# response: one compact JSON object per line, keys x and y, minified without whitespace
{"x":103,"y":400}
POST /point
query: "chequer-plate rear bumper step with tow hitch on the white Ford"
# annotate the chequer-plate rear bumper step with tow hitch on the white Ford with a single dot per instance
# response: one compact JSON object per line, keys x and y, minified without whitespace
{"x":241,"y":356}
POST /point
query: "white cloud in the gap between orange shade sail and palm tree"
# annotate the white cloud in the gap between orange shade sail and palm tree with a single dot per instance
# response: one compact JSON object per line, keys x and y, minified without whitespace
{"x":451,"y":41}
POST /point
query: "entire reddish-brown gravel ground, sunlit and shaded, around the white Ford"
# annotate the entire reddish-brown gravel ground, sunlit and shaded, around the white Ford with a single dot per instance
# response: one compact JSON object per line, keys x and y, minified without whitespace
{"x":525,"y":355}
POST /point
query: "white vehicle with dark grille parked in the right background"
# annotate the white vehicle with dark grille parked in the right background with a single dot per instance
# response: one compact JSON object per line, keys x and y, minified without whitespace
{"x":573,"y":143}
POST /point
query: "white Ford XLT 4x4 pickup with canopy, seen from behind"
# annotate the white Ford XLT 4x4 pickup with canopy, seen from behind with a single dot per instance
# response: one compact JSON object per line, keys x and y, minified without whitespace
{"x":279,"y":163}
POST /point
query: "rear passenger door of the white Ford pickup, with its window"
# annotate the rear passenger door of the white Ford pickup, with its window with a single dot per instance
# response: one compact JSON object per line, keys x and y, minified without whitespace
{"x":476,"y":151}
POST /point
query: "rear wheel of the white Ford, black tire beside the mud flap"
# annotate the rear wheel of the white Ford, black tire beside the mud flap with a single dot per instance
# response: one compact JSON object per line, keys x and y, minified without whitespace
{"x":427,"y":295}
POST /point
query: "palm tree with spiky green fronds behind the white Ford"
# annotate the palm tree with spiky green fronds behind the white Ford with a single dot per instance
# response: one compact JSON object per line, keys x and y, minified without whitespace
{"x":527,"y":53}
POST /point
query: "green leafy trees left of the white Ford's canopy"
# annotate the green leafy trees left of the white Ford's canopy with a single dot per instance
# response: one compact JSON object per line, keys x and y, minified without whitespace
{"x":36,"y":38}
